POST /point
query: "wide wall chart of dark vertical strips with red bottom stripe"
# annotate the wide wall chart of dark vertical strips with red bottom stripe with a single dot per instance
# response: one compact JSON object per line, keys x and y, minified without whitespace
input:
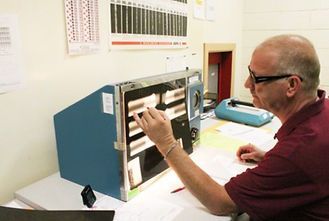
{"x":140,"y":24}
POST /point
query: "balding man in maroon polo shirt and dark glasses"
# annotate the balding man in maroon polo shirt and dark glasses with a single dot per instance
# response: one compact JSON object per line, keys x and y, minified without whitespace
{"x":291,"y":181}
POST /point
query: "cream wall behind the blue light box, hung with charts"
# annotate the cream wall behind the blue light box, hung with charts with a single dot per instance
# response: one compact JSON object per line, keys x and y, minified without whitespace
{"x":54,"y":80}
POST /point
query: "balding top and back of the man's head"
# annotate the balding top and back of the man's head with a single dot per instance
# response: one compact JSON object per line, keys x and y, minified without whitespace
{"x":294,"y":54}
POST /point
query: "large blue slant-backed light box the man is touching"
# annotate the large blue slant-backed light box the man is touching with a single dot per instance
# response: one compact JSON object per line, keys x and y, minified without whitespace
{"x":99,"y":143}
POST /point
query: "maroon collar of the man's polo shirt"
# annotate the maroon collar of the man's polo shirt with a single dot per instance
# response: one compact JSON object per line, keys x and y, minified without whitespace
{"x":301,"y":115}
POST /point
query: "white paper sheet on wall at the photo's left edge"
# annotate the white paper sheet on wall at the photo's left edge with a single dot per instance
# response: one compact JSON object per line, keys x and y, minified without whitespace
{"x":10,"y":54}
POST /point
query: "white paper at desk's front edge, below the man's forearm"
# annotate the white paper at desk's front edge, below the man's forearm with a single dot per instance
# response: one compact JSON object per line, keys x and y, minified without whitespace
{"x":173,"y":207}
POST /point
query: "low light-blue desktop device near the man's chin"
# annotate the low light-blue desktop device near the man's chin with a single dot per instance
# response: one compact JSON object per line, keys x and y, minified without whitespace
{"x":242,"y":112}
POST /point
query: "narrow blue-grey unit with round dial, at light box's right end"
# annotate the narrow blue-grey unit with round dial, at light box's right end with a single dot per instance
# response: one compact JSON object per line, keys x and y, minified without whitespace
{"x":195,"y":104}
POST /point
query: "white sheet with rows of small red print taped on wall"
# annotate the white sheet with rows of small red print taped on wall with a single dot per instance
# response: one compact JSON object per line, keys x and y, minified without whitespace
{"x":82,"y":26}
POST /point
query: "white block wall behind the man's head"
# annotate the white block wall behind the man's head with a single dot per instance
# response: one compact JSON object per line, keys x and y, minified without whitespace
{"x":262,"y":19}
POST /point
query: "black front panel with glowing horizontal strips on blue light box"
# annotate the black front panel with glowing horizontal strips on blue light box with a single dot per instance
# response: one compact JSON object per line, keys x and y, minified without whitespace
{"x":144,"y":160}
